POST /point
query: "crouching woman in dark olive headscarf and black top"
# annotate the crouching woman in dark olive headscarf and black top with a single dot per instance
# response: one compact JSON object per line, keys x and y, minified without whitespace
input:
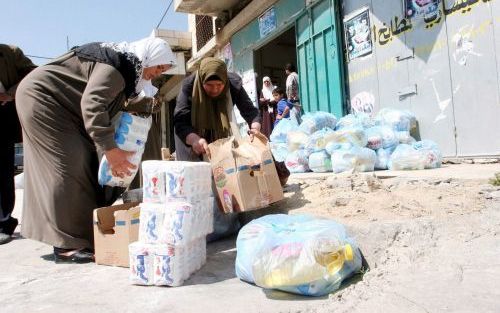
{"x":204,"y":109}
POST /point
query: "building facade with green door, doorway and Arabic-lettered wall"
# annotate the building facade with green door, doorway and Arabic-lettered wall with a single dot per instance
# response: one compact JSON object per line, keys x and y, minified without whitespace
{"x":437,"y":58}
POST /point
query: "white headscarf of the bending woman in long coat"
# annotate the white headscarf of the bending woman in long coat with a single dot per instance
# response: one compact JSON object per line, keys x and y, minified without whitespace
{"x":150,"y":51}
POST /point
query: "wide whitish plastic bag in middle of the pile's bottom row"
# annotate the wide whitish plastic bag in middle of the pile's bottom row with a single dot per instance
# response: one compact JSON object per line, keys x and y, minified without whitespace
{"x":353,"y":158}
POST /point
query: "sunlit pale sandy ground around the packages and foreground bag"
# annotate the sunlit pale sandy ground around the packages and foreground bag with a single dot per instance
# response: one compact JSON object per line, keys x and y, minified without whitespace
{"x":431,"y":240}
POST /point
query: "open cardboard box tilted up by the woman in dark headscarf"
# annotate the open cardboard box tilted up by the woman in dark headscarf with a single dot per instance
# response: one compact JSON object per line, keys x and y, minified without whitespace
{"x":244,"y":174}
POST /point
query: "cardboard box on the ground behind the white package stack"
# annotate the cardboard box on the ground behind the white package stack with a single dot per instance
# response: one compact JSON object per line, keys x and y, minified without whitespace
{"x":115,"y":227}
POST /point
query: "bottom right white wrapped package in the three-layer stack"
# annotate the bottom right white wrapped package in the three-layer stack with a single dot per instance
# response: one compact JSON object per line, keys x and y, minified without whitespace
{"x":174,"y":264}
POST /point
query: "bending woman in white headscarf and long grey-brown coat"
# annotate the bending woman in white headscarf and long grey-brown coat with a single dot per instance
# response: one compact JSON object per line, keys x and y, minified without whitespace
{"x":65,"y":108}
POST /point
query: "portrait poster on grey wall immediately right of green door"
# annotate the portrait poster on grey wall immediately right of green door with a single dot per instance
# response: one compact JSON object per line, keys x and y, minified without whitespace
{"x":358,"y":34}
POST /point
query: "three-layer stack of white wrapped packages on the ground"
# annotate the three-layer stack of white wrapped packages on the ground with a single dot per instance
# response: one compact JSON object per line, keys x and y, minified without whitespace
{"x":176,"y":215}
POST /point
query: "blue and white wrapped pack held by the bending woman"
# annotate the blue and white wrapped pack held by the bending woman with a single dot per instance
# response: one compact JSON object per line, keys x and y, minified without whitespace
{"x":131,"y":133}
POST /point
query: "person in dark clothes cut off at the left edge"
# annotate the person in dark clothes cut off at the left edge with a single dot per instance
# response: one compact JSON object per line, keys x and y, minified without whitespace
{"x":14,"y":66}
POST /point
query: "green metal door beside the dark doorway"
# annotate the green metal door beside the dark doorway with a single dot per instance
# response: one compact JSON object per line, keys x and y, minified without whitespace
{"x":320,"y":59}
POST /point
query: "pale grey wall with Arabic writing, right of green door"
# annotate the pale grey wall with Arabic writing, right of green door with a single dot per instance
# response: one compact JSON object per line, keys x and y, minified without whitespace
{"x":444,"y":67}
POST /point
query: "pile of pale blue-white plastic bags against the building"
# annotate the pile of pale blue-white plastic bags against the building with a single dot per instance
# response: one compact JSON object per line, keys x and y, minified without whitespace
{"x":321,"y":143}
